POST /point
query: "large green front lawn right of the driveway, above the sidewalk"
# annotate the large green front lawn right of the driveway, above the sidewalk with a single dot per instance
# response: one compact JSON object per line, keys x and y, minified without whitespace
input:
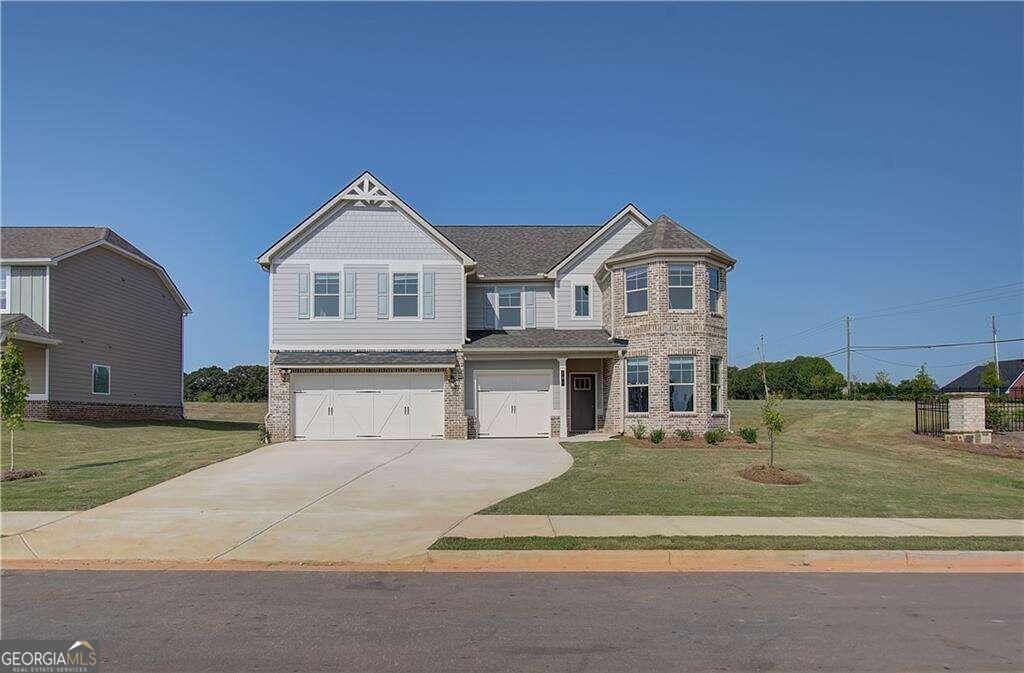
{"x":863,"y":458}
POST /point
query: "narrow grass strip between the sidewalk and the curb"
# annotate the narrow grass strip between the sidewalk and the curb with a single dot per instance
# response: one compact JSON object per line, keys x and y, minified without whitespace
{"x":736,"y":542}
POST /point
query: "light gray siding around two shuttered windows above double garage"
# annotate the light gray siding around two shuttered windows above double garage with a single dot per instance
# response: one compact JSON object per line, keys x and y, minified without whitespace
{"x":290,"y":331}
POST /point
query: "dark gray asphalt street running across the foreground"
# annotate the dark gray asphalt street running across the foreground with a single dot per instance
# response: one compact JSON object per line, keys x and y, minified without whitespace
{"x":333,"y":621}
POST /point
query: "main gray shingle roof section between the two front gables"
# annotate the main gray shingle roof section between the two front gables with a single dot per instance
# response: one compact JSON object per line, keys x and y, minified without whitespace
{"x":504,"y":250}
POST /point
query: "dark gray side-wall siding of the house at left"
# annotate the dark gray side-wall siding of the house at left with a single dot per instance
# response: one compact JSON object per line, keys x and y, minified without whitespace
{"x":108,"y":310}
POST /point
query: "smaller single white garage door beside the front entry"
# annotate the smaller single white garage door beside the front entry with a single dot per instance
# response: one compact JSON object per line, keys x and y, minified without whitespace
{"x":514,"y":405}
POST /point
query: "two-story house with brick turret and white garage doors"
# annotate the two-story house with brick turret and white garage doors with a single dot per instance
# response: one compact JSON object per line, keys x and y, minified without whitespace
{"x":386,"y":326}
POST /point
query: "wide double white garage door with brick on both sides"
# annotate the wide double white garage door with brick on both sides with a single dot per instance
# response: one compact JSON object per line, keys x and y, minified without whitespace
{"x":368,"y":406}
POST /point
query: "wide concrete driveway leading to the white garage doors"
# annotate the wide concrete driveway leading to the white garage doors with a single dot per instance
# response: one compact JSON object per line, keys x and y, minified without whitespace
{"x":318,"y":501}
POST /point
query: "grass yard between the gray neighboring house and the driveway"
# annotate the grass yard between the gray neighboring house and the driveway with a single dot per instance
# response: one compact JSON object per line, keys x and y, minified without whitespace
{"x":89,"y":465}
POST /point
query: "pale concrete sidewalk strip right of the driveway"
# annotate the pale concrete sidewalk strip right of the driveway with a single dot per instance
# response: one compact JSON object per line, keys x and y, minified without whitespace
{"x":481,"y":526}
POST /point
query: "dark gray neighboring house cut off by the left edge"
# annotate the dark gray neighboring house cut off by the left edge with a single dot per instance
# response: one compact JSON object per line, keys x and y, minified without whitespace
{"x":101,"y":324}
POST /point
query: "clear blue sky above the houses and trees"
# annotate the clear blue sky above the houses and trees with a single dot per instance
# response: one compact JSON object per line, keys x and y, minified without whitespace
{"x":851,"y":157}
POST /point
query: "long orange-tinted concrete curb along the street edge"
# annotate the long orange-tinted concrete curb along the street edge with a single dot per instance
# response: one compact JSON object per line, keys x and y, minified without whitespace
{"x":596,"y":562}
